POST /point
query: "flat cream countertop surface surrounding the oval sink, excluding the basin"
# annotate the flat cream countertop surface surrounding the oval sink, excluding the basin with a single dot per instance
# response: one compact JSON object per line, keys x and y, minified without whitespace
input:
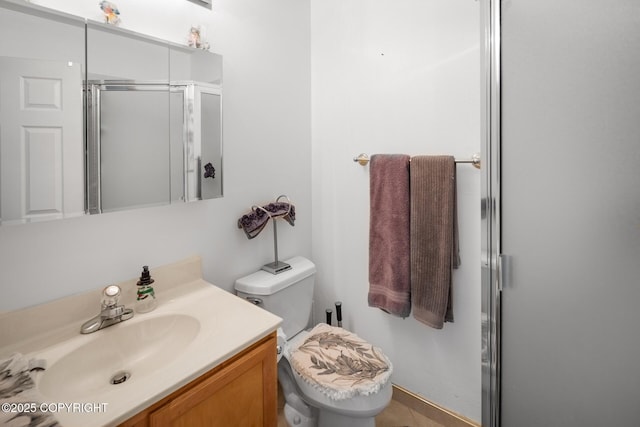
{"x":228,"y":325}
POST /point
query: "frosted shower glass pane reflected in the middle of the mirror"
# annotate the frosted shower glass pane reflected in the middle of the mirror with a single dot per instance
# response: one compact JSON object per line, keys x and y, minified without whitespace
{"x":133,"y":155}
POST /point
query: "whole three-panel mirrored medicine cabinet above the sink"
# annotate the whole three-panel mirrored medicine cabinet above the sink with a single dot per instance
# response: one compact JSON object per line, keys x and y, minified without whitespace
{"x":95,"y":118}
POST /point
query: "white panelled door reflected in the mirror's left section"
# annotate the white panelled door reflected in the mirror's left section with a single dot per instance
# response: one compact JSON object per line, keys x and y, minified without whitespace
{"x":40,"y":131}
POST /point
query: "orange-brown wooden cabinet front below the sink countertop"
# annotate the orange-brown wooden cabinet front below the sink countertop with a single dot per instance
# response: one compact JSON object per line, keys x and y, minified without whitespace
{"x":242,"y":392}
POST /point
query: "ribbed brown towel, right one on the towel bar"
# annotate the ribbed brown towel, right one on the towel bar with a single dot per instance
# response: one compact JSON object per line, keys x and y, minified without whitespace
{"x":434,"y":238}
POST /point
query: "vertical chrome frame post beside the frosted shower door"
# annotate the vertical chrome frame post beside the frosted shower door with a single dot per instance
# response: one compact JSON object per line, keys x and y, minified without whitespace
{"x":492,"y":262}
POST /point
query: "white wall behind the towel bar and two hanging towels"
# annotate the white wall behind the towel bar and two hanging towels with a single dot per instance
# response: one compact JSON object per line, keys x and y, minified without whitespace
{"x":397,"y":76}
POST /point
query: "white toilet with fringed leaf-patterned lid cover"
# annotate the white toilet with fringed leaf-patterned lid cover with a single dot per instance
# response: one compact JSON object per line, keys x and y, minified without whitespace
{"x":329,"y":376}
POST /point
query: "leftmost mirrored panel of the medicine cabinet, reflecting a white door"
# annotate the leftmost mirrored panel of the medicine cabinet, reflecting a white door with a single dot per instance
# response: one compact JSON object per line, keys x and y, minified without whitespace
{"x":41,"y":115}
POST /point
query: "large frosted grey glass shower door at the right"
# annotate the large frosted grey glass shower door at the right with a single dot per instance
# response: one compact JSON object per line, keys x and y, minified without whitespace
{"x":570,"y":219}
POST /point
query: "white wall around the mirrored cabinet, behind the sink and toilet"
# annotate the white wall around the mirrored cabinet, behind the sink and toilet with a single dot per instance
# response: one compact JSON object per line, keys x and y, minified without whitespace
{"x":267,"y":152}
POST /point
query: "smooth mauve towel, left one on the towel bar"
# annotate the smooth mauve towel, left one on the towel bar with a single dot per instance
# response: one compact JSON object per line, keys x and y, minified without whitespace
{"x":389,"y":273}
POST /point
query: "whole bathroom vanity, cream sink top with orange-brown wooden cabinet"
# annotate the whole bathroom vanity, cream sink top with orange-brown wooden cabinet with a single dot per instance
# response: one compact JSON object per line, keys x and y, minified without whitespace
{"x":203,"y":357}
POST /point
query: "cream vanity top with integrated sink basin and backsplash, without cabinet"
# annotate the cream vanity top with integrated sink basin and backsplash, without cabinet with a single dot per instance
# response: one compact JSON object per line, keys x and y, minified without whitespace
{"x":196,"y":327}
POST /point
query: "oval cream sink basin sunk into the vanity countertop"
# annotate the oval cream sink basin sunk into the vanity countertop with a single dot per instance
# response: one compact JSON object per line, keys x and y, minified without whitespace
{"x":139,"y":348}
